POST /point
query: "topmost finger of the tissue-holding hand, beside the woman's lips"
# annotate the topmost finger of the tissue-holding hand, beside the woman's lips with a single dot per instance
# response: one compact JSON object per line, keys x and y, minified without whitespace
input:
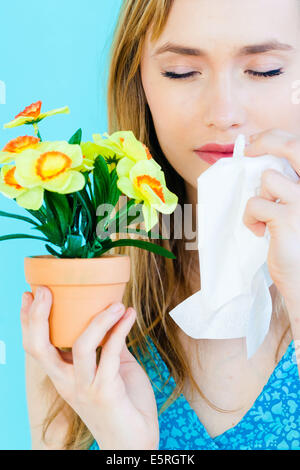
{"x":278,"y":143}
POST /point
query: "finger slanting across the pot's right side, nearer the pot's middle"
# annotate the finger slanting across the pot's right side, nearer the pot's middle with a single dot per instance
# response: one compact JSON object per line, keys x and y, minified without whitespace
{"x":84,"y":348}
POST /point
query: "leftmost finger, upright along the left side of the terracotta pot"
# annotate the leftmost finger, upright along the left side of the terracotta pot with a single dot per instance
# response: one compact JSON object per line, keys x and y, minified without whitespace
{"x":39,"y":345}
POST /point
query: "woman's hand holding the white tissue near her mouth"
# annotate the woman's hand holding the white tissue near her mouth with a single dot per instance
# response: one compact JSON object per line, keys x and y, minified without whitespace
{"x":282,"y":219}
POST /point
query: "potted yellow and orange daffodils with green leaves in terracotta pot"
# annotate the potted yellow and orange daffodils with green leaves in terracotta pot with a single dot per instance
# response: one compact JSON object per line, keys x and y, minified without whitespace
{"x":71,"y":190}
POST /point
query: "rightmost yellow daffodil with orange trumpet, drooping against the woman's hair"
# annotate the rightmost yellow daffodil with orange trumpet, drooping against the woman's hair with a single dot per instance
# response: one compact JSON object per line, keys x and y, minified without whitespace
{"x":145,"y":182}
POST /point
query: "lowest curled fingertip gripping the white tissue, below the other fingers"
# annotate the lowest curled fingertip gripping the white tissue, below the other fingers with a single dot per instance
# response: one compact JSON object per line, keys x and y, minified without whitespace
{"x":260,"y":212}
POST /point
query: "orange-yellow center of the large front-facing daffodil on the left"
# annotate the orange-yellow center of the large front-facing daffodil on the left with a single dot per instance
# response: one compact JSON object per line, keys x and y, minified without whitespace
{"x":51,"y":164}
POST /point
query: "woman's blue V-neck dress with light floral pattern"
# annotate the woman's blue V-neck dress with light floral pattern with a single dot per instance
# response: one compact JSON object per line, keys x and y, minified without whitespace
{"x":273,"y":422}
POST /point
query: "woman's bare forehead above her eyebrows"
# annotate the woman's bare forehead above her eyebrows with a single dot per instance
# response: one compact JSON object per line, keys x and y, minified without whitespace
{"x":230,"y":24}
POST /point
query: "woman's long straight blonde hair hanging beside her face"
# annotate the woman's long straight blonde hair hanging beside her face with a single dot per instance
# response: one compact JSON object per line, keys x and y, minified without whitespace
{"x":157,"y":284}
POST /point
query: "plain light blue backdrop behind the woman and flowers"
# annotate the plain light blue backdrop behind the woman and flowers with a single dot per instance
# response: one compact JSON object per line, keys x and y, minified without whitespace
{"x":55,"y":51}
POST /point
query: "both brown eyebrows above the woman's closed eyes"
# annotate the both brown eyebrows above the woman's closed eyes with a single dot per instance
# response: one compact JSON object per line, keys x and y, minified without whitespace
{"x":246,"y":50}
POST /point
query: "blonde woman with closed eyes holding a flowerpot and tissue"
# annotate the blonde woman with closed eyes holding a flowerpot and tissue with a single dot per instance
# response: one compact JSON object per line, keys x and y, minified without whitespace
{"x":209,"y":396}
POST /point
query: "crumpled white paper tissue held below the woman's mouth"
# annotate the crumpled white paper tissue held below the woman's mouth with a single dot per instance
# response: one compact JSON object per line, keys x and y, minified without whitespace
{"x":234,"y":300}
